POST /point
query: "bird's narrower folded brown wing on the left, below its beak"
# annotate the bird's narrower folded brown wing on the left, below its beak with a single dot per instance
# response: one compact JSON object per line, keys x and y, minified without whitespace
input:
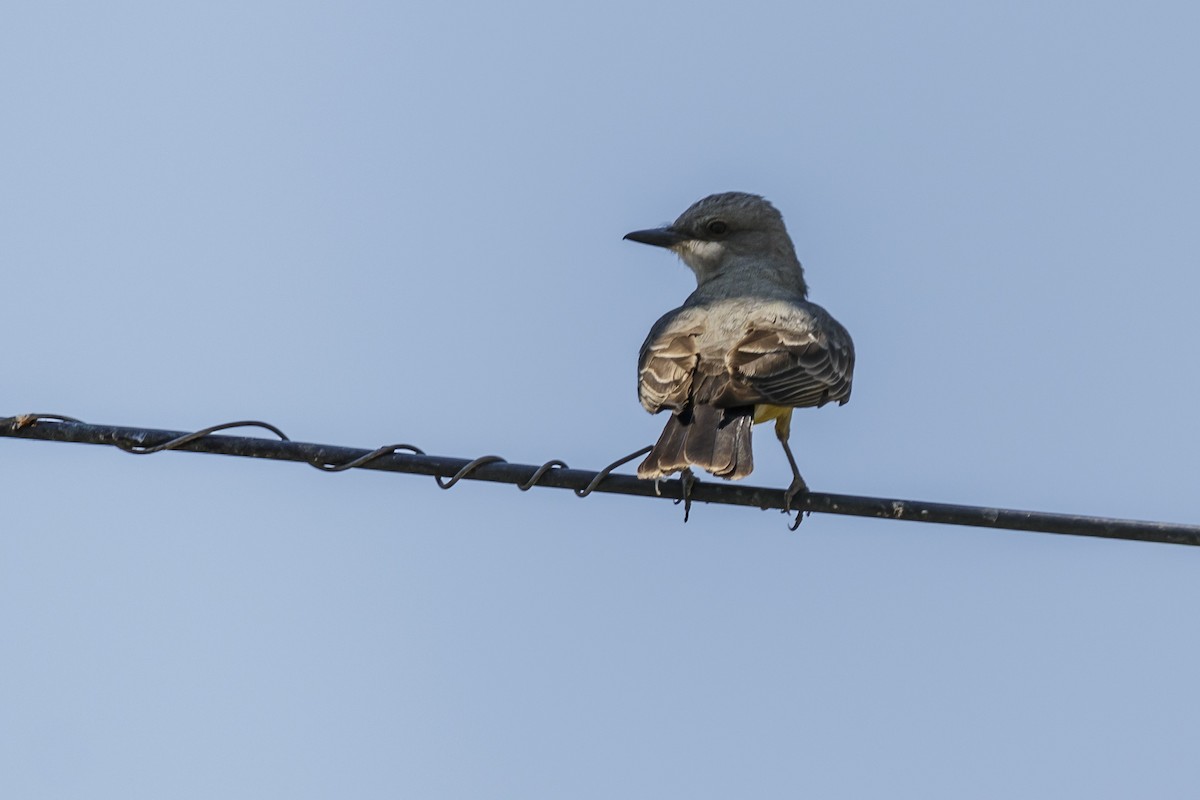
{"x":669,"y":360}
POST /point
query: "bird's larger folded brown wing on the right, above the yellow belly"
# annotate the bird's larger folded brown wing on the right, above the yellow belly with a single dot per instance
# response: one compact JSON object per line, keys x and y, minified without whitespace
{"x":797,"y":356}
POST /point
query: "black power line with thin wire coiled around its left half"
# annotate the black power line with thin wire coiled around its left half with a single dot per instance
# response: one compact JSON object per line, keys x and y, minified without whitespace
{"x":448,"y":472}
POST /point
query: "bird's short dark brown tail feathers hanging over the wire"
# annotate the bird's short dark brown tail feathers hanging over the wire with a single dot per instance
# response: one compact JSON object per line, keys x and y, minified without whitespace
{"x":716,"y":440}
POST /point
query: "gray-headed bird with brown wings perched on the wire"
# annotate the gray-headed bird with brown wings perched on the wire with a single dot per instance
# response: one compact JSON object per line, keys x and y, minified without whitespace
{"x":746,"y":347}
